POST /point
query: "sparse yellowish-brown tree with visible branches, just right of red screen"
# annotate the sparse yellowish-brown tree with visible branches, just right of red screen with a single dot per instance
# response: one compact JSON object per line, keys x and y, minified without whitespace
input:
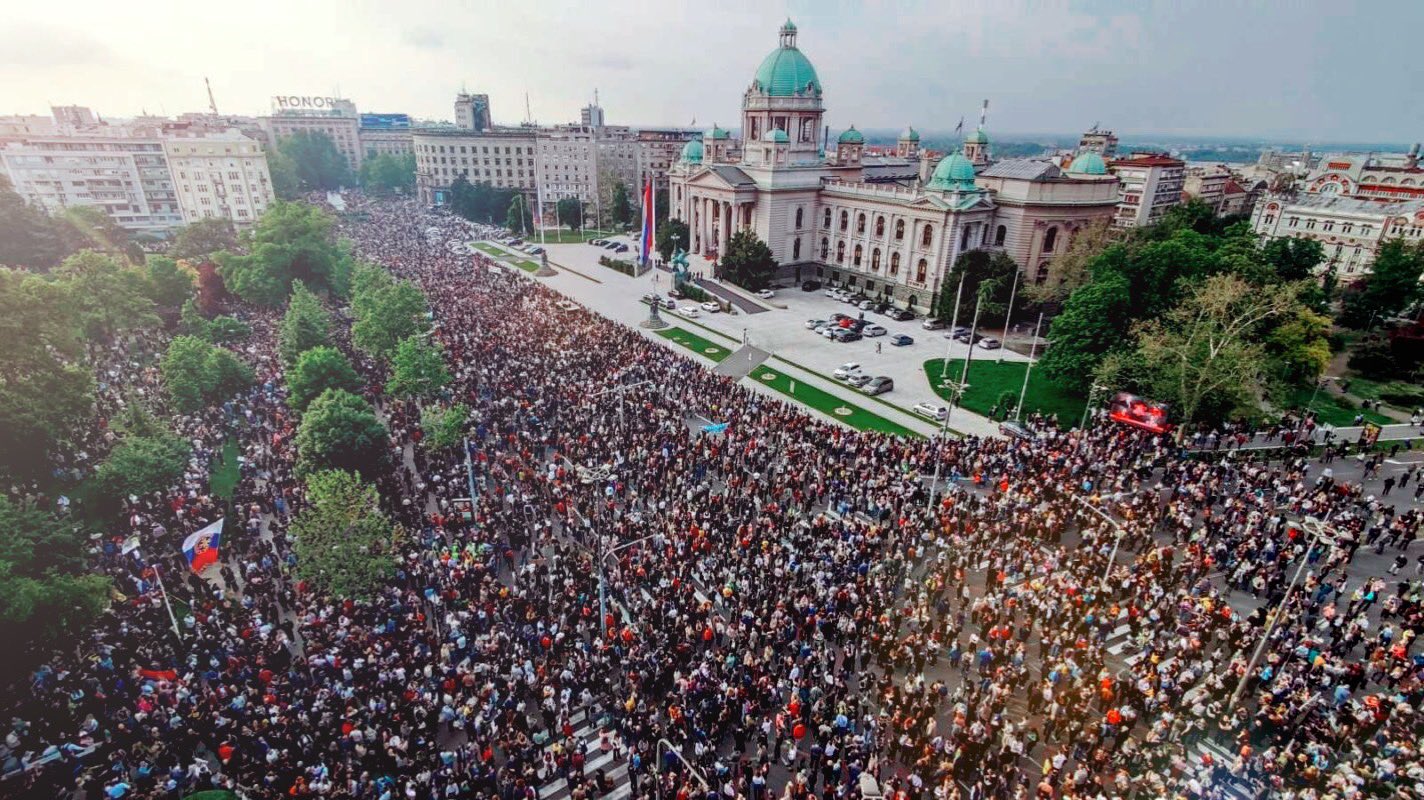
{"x":1205,"y":357}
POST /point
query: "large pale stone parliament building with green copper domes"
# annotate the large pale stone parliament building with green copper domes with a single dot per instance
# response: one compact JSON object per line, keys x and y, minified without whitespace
{"x":839,"y":217}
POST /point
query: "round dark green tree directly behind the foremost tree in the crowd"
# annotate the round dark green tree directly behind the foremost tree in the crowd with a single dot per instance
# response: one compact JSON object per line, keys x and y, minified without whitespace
{"x":341,"y":432}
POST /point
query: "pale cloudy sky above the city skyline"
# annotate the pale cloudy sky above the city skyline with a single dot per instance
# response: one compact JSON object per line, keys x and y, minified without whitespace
{"x":1316,"y":70}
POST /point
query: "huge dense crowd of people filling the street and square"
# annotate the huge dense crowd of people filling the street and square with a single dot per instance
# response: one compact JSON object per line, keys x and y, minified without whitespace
{"x":632,"y":606}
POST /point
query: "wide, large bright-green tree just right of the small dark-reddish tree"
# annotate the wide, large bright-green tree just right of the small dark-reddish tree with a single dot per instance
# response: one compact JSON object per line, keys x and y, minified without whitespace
{"x":291,"y":243}
